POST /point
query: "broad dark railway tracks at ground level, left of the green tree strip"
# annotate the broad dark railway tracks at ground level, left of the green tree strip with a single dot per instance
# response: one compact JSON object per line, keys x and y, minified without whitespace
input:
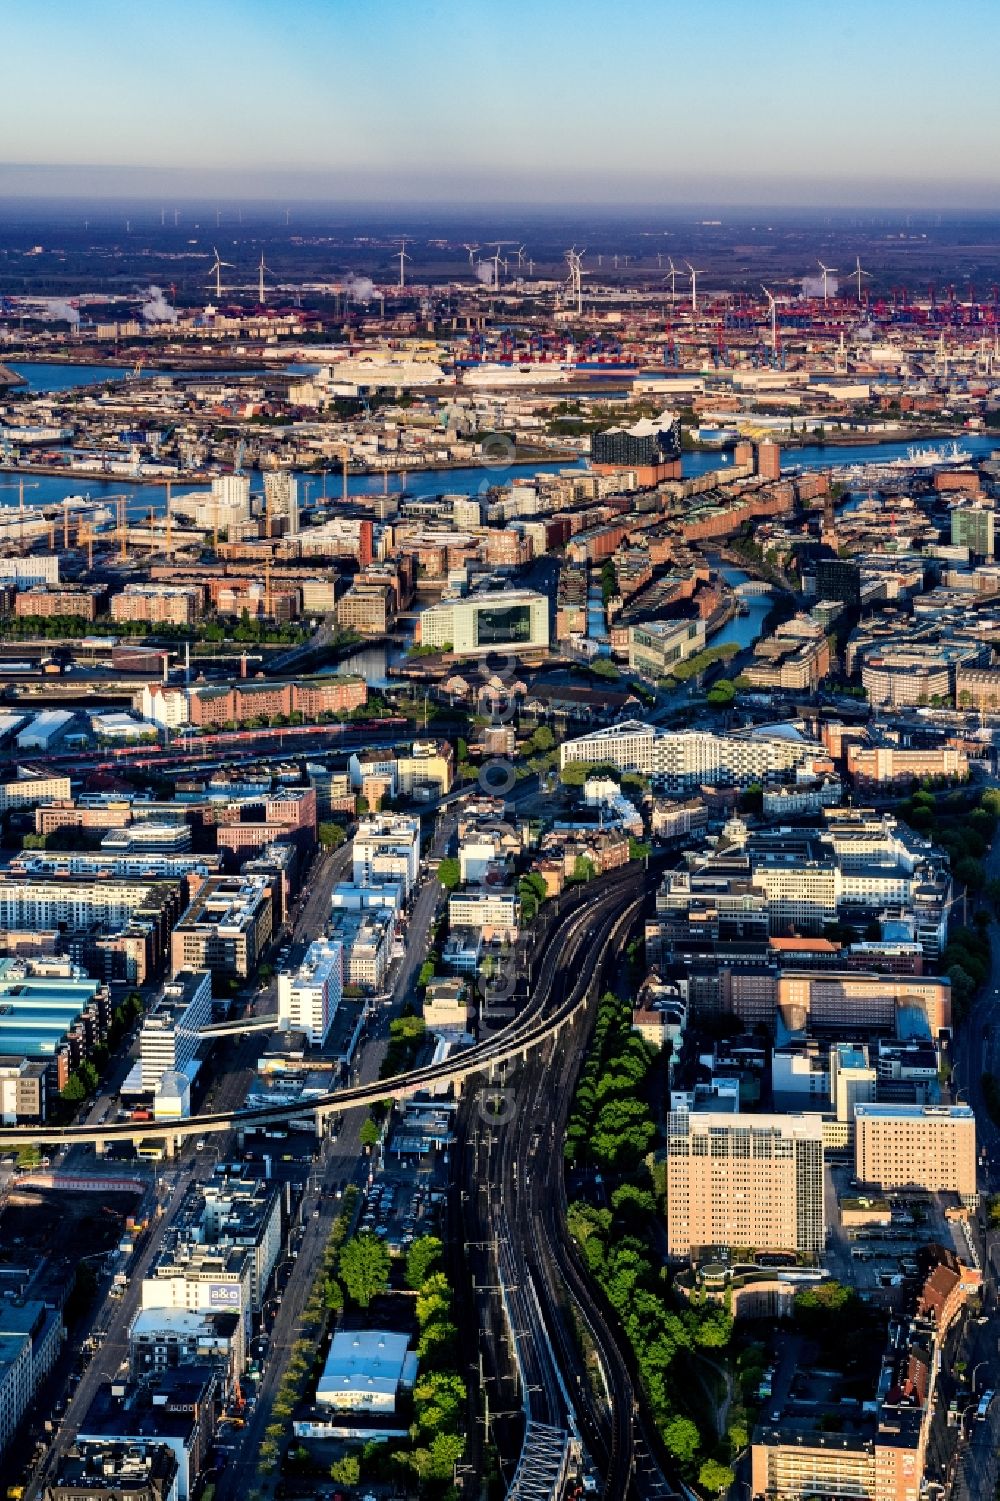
{"x":516,"y":1223}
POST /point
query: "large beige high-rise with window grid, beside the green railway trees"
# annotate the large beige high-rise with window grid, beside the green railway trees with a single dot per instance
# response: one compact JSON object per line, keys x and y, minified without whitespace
{"x":744,"y":1181}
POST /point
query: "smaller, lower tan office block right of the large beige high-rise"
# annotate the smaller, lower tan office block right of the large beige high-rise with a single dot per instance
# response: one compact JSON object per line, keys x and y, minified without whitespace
{"x":917,"y":1148}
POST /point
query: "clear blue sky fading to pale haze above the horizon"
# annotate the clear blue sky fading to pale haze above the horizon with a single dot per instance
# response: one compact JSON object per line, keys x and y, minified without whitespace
{"x":776,"y":101}
